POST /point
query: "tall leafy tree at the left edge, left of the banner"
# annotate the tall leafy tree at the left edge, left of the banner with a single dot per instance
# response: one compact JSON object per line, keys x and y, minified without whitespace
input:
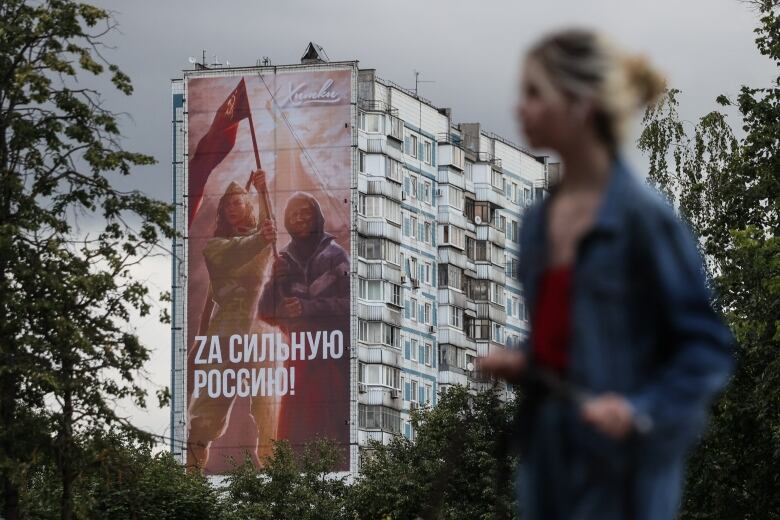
{"x":66,"y":295}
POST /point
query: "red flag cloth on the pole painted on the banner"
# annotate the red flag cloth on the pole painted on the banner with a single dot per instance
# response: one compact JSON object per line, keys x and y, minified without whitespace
{"x":216,"y":144}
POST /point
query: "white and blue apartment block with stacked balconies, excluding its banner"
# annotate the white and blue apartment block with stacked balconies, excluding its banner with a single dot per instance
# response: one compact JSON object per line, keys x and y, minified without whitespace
{"x":436,"y":214}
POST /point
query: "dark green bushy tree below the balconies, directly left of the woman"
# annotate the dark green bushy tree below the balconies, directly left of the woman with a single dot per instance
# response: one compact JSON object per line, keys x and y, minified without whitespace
{"x":456,"y":467}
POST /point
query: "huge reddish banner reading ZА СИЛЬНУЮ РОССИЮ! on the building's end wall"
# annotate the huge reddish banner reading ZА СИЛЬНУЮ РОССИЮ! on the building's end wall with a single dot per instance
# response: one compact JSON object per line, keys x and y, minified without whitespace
{"x":268,"y":320}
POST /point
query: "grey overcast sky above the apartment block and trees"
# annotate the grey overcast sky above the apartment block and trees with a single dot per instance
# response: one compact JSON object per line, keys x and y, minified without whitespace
{"x":470,"y":49}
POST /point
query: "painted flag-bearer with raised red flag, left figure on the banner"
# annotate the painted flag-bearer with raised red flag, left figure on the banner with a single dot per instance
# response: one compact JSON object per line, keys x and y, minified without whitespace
{"x":236,"y":259}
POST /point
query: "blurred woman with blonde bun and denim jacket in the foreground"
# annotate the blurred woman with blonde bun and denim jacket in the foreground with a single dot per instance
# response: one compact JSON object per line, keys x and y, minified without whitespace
{"x":618,"y":302}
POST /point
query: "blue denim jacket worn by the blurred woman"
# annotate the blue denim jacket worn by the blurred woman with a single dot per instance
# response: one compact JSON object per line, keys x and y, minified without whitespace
{"x":642,"y":324}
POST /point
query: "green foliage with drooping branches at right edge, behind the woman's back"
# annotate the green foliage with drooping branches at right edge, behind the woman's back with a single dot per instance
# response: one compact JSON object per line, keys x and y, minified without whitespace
{"x":729,"y":191}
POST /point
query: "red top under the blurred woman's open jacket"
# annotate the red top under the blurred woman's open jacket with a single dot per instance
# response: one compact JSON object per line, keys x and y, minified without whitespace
{"x":551,"y":323}
